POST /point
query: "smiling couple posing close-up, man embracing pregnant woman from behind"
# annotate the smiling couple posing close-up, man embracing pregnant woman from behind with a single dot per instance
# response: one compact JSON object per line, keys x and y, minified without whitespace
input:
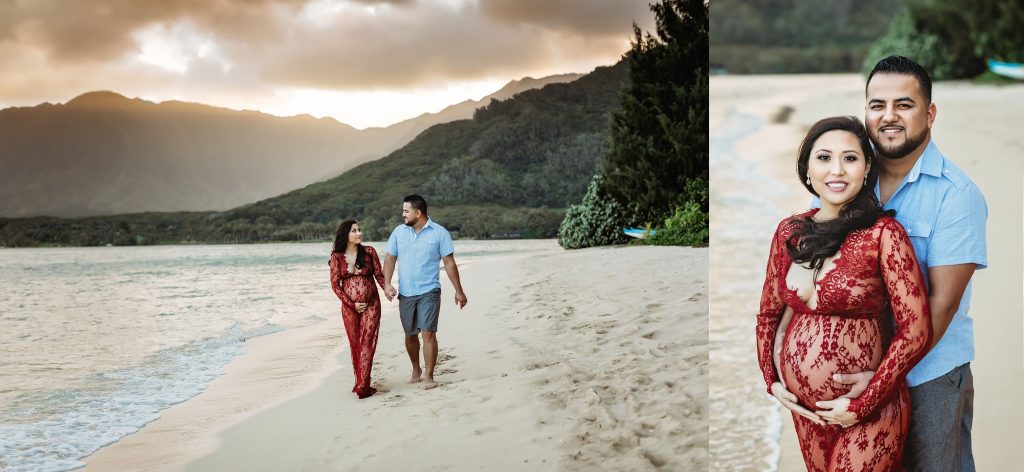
{"x":864,"y":330}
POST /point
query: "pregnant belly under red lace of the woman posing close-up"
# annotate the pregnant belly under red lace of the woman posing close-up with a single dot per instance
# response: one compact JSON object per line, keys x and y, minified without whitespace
{"x":818,"y":347}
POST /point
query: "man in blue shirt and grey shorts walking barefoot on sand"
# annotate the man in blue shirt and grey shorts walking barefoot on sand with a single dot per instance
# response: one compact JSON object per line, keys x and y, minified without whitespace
{"x":420,"y":245}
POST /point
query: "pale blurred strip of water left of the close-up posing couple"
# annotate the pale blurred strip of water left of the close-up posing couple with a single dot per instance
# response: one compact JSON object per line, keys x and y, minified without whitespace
{"x":746,"y":423}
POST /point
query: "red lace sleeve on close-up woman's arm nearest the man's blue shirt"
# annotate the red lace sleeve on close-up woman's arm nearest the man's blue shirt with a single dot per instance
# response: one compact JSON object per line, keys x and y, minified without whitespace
{"x":909,"y":302}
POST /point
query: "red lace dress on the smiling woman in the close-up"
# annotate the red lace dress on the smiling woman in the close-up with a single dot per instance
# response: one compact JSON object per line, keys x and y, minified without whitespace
{"x":844,"y":333}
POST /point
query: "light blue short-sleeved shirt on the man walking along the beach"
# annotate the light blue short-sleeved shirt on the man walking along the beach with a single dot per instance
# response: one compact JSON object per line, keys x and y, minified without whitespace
{"x":419,"y":256}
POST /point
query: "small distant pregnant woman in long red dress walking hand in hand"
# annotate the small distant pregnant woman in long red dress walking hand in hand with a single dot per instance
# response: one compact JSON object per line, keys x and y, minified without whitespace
{"x":354,"y":269}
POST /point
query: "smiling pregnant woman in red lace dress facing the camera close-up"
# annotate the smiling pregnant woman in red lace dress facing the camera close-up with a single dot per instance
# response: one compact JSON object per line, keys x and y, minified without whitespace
{"x":840,"y":271}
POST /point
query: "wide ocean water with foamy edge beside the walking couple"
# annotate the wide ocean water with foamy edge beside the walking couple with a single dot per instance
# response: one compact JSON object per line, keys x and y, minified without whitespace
{"x":96,"y":342}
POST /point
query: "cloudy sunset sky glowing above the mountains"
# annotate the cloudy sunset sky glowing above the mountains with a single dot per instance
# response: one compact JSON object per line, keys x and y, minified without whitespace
{"x":366,"y":63}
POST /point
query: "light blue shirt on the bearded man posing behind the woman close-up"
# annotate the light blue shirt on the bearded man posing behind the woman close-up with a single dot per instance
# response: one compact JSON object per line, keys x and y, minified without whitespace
{"x":945,"y":214}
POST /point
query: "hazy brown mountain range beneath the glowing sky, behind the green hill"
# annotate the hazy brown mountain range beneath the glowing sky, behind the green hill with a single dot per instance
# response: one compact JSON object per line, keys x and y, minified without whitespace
{"x":105,"y":154}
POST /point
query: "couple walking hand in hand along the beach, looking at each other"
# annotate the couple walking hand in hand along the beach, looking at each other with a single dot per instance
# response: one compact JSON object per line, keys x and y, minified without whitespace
{"x":418,"y":247}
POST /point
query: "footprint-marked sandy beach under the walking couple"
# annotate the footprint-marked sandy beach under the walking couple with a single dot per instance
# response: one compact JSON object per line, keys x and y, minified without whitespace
{"x":567,"y":361}
